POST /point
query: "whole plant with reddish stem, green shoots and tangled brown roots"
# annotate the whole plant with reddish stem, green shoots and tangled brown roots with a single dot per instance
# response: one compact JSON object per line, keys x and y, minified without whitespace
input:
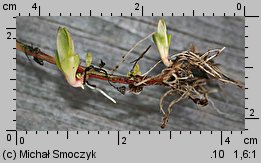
{"x":186,"y":74}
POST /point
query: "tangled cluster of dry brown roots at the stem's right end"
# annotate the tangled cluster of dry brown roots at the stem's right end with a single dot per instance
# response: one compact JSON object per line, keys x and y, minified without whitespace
{"x":187,"y":78}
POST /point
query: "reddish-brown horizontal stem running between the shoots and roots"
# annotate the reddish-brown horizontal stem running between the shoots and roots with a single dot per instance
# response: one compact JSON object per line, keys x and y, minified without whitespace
{"x":92,"y":73}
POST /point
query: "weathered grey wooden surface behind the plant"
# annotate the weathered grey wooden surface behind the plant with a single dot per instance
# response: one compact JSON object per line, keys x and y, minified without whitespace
{"x":46,"y":102}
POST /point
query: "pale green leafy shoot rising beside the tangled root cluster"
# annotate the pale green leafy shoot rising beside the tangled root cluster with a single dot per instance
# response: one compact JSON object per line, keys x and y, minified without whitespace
{"x":162,"y":41}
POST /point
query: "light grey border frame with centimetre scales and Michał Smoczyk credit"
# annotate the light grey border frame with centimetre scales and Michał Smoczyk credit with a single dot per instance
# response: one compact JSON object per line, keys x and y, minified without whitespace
{"x":129,"y":146}
